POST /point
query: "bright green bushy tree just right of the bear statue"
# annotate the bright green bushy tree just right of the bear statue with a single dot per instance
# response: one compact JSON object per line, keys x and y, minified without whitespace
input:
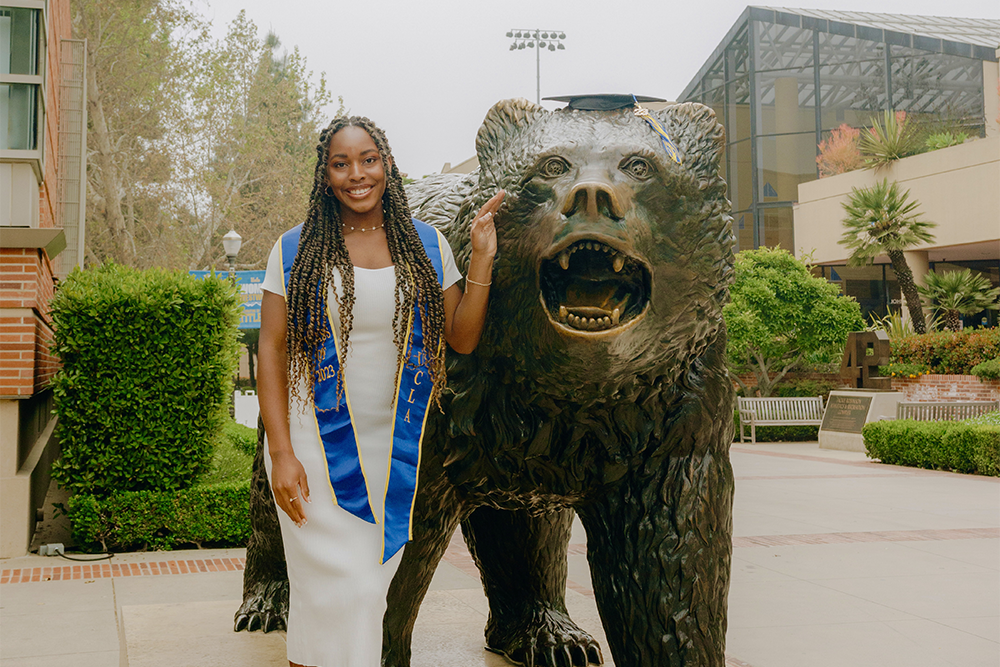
{"x":781,"y":315}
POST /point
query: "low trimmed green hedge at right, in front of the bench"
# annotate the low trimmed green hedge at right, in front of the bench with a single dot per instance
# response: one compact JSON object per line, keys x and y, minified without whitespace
{"x":972,"y":445}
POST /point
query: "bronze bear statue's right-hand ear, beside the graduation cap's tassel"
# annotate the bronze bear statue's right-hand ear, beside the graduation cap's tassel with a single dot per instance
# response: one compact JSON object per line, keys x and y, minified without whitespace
{"x":698,"y":135}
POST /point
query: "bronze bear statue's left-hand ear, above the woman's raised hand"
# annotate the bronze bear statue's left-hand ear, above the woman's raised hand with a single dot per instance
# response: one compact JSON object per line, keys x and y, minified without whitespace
{"x":503,"y":124}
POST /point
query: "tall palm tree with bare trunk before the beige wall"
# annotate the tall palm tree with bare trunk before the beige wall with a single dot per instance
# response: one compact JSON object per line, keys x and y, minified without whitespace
{"x":882,"y":220}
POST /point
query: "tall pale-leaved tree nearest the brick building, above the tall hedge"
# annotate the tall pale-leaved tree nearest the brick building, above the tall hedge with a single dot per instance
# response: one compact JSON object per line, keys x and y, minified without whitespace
{"x":138,"y":53}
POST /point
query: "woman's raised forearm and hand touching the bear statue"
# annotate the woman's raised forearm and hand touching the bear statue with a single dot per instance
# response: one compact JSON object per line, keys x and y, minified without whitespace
{"x":465,"y":313}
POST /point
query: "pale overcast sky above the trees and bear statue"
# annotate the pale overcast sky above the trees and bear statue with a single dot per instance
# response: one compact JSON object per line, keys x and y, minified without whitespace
{"x":428,"y":71}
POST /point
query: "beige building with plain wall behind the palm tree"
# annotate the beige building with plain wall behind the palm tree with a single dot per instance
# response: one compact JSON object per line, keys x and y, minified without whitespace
{"x":957,"y":187}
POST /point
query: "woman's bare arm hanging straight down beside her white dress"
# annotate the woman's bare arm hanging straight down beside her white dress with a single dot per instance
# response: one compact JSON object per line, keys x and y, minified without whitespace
{"x":288,"y":477}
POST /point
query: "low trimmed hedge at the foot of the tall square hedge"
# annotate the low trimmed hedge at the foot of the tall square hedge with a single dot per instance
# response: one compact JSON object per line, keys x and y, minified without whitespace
{"x":216,"y":515}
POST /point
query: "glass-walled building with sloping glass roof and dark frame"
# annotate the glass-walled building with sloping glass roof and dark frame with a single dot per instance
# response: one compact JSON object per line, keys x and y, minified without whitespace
{"x":782,"y":79}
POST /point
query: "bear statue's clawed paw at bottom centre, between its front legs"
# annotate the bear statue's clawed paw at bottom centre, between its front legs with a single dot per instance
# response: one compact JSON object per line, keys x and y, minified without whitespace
{"x":544,"y":638}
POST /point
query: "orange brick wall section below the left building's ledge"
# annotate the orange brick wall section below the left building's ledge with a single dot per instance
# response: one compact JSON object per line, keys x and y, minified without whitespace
{"x":26,"y":286}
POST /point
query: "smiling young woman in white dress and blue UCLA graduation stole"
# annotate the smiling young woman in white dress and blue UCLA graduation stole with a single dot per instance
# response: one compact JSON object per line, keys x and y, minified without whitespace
{"x":358,"y":304}
